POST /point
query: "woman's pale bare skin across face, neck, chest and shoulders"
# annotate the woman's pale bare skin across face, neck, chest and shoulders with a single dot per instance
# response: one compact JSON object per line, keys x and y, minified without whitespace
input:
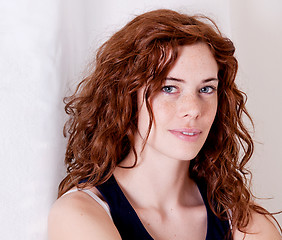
{"x":166,"y":200}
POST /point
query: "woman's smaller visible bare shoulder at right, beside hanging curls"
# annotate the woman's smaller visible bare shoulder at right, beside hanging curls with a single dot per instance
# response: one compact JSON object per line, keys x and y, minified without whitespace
{"x":260,"y":228}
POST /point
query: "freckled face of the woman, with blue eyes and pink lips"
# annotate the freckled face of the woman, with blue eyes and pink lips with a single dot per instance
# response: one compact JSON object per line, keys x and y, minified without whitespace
{"x":185,"y":108}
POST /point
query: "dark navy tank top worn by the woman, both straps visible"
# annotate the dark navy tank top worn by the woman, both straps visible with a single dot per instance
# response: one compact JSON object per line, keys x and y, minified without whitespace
{"x":130,"y":226}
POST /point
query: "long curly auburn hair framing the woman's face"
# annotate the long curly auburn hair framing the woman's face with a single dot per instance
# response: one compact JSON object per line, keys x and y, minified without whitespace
{"x":103,"y":110}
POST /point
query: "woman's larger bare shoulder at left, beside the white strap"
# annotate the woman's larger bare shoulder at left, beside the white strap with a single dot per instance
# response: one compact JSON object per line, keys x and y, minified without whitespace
{"x":78,"y":216}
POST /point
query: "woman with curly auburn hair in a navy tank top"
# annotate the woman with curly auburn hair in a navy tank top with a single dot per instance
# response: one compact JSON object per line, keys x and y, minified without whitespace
{"x":156,"y":140}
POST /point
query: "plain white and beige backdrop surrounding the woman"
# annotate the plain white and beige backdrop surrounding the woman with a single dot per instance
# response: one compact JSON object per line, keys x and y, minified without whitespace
{"x":44,"y":48}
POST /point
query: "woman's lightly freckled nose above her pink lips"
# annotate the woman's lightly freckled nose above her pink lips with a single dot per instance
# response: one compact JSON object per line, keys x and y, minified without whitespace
{"x":189,"y":106}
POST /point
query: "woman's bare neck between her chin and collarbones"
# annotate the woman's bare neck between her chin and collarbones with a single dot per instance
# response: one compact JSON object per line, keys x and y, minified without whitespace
{"x":156,"y":180}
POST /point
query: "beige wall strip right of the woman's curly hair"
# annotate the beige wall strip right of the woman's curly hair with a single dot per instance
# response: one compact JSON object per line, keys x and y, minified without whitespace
{"x":256,"y":29}
